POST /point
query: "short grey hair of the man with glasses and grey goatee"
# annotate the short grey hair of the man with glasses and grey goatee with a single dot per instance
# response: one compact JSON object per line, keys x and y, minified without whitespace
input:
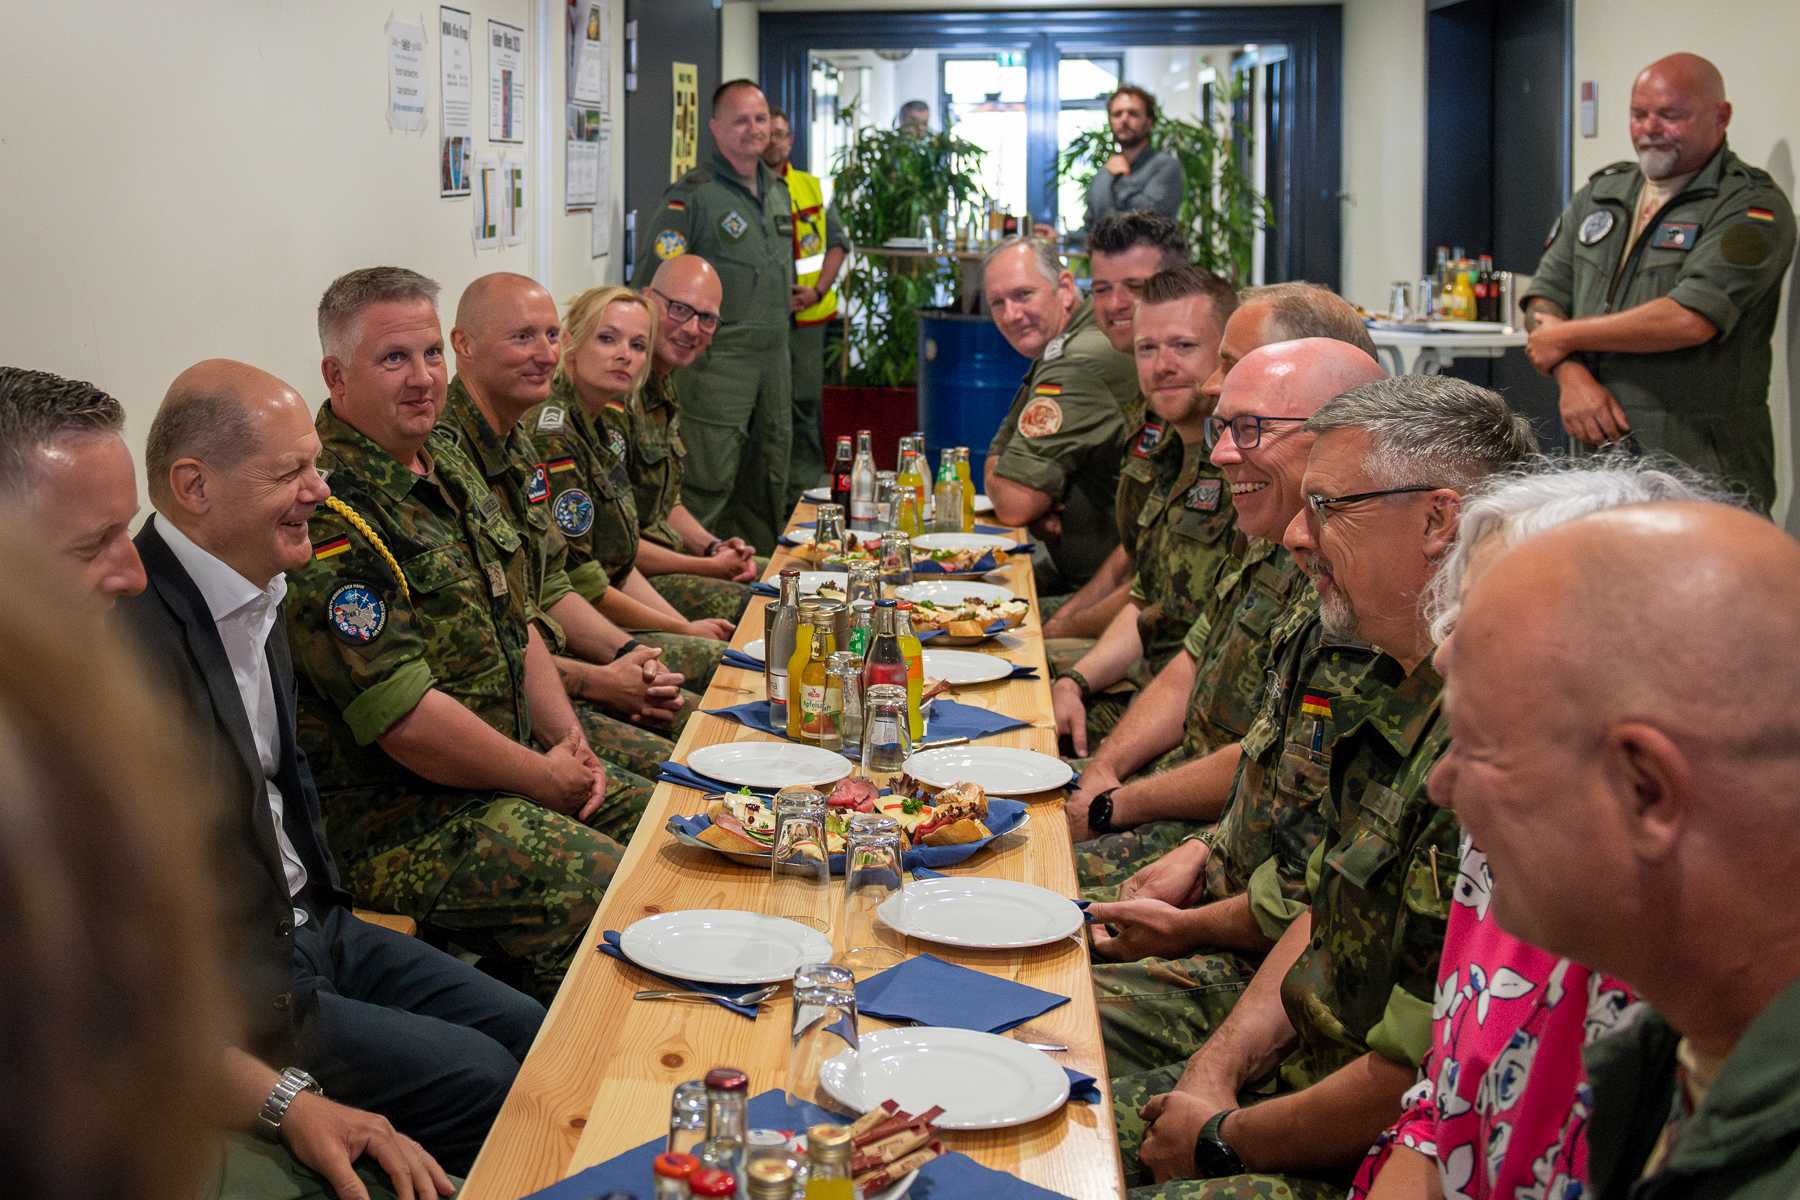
{"x":1430,"y":429}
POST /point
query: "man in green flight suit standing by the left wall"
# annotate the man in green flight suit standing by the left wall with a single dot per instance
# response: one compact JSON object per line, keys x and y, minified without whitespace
{"x":737,"y":402}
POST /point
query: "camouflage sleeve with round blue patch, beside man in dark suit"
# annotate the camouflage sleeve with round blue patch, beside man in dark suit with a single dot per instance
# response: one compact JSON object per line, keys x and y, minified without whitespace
{"x":354,"y":631}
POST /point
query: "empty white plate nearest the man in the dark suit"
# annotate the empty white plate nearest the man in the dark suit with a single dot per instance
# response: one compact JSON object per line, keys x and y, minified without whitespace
{"x":723,"y":945}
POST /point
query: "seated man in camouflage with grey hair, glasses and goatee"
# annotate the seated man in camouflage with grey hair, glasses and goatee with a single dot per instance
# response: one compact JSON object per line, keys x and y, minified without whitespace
{"x":1340,"y":1012}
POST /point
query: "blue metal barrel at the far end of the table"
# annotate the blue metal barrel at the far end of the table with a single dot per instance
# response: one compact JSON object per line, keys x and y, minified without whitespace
{"x":967,"y":379}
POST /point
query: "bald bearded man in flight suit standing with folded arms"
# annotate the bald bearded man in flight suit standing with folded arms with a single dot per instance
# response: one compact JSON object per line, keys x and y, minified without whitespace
{"x":1659,"y":291}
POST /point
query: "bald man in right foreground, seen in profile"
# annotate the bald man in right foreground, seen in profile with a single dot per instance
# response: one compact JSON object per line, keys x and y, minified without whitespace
{"x":1639,"y":814}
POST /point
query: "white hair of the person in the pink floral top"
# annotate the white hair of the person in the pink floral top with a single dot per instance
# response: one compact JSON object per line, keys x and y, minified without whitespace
{"x":1543,"y":494}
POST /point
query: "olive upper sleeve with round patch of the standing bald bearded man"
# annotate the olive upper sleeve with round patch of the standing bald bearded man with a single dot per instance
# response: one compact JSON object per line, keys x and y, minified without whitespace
{"x":1740,"y":258}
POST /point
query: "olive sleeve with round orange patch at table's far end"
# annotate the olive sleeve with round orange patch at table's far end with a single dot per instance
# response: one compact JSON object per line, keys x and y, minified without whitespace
{"x":1066,"y":424}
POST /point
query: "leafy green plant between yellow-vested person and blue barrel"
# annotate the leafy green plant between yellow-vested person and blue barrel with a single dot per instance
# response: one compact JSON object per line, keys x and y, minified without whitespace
{"x":885,"y":184}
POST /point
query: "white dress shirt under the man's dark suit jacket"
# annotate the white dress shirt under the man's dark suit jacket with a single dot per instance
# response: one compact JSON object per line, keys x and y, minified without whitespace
{"x":244,"y":616}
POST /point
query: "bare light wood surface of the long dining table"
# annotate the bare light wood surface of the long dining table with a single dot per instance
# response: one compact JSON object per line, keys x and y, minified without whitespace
{"x":600,"y":1075}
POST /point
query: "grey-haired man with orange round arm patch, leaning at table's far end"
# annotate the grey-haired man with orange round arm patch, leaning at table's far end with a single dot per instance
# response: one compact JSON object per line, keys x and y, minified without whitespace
{"x":1054,"y":463}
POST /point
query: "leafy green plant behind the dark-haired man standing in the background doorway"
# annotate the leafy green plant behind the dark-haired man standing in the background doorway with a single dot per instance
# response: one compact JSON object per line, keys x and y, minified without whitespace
{"x":1219,"y":208}
